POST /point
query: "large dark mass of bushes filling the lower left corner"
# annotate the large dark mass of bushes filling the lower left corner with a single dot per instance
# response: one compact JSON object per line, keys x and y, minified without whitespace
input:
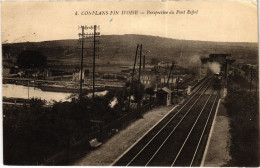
{"x":35,"y":132}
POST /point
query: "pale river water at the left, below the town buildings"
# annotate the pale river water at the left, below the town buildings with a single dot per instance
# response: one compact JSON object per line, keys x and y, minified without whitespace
{"x":19,"y":91}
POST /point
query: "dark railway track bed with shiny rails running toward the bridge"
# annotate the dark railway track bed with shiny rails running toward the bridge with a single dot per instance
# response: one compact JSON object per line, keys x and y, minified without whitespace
{"x":180,"y":138}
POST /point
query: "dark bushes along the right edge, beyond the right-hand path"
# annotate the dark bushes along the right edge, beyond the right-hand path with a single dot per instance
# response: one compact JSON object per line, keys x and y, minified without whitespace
{"x":242,"y":107}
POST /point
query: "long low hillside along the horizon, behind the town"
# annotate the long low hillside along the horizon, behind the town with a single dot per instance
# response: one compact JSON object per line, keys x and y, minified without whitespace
{"x":120,"y":50}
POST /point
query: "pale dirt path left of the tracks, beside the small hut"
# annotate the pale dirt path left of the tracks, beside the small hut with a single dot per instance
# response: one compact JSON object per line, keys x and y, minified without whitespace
{"x":119,"y":143}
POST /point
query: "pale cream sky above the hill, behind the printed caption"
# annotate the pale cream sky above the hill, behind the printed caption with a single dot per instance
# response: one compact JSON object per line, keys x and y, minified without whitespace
{"x":232,"y":21}
